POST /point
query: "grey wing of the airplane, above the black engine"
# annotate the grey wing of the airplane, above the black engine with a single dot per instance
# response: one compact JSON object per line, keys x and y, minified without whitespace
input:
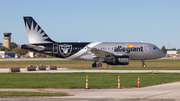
{"x":101,"y":53}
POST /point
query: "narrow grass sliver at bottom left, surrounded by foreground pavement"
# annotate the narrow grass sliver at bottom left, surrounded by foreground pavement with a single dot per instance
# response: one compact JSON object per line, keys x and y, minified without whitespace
{"x":15,"y":94}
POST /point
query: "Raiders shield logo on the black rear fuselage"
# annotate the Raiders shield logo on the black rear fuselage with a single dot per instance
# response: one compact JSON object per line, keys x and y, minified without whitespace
{"x":65,"y":50}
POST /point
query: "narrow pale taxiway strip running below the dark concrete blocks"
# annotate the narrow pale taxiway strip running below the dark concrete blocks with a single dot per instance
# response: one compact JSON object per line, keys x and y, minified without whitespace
{"x":65,"y":70}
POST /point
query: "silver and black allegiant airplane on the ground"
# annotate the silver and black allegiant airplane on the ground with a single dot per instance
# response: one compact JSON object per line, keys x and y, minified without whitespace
{"x":111,"y":53}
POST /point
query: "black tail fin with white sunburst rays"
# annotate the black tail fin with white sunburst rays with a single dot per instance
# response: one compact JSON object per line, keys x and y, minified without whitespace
{"x":35,"y":33}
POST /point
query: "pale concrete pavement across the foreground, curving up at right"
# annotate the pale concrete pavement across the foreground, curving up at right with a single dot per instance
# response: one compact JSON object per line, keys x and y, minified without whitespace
{"x":164,"y":92}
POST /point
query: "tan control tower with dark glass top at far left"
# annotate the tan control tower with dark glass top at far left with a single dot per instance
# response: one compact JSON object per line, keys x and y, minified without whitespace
{"x":7,"y":40}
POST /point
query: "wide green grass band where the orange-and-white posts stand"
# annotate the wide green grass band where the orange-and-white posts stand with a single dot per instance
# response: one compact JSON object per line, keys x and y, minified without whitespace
{"x":77,"y":80}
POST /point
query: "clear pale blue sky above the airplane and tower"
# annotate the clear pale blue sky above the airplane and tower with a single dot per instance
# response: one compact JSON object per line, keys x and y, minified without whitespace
{"x":151,"y":21}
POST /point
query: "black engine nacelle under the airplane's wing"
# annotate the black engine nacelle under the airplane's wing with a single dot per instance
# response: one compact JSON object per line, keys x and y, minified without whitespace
{"x":119,"y":60}
